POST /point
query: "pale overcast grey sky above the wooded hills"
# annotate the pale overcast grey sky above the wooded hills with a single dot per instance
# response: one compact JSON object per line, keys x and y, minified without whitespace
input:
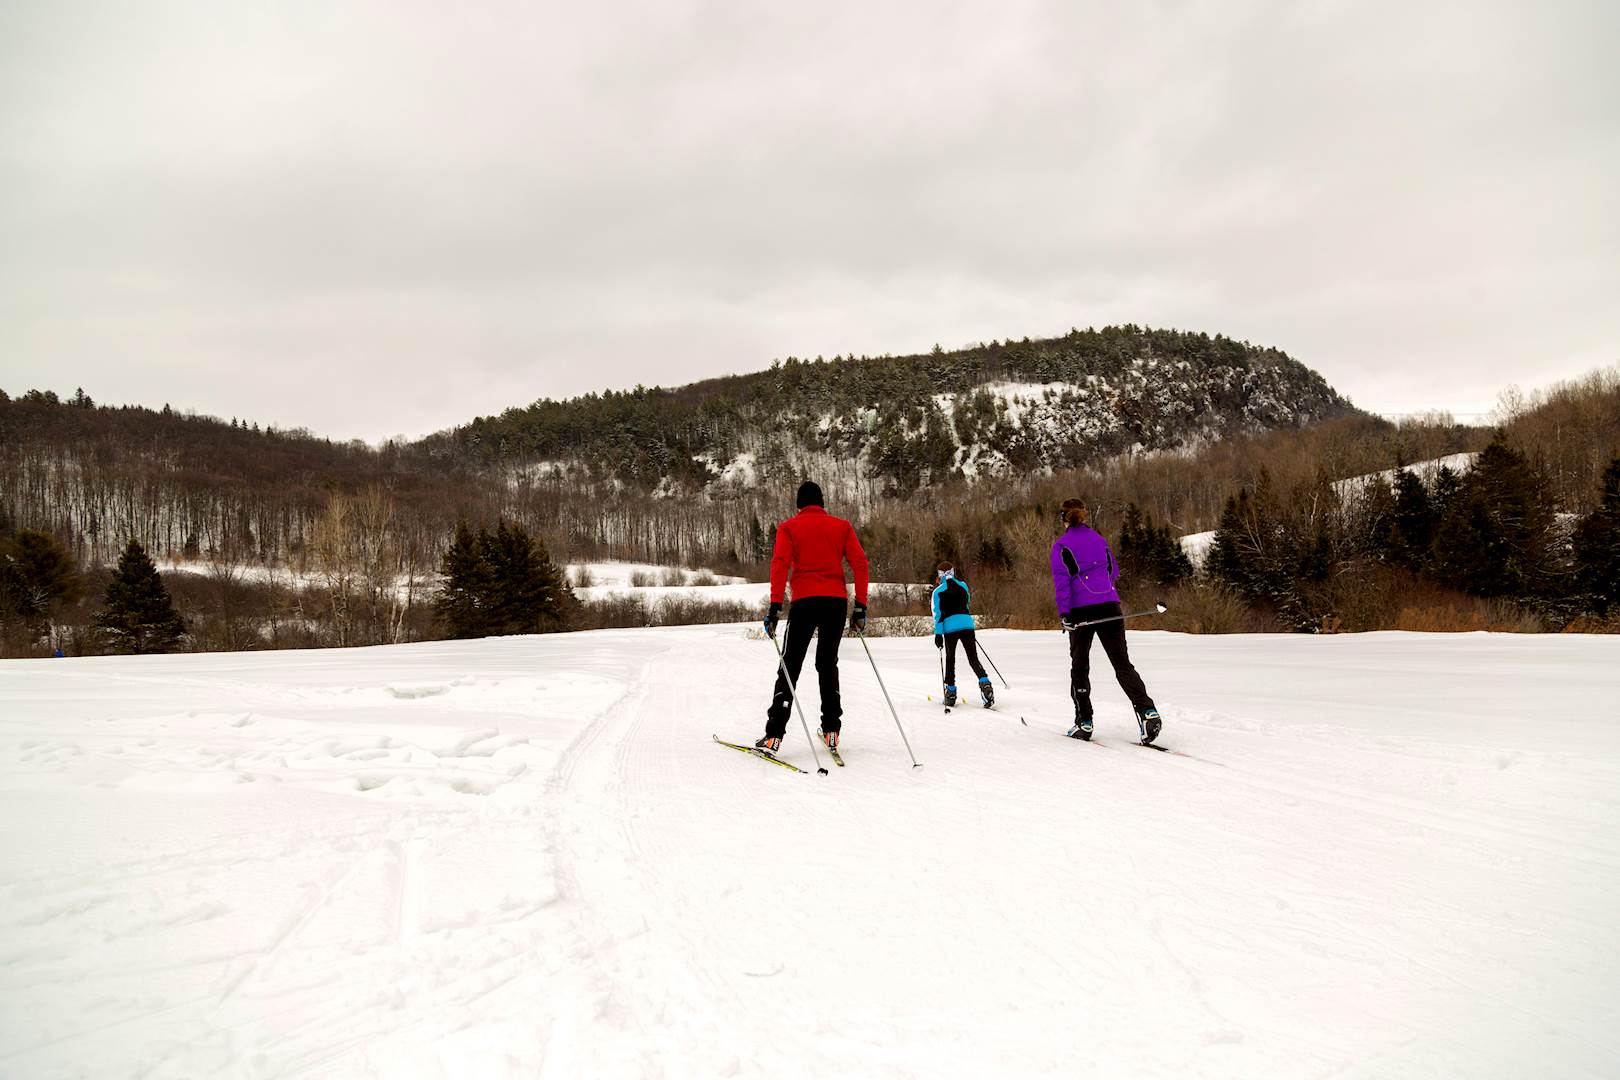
{"x":388,"y":218}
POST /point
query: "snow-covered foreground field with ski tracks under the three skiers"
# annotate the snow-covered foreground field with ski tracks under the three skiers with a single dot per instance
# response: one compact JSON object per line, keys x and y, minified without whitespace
{"x":1388,"y":856}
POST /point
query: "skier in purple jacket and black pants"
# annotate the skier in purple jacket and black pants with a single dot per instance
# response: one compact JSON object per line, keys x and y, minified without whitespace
{"x":1083,"y":577}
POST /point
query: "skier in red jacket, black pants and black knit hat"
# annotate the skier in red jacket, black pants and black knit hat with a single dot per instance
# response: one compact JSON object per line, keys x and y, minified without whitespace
{"x":811,"y":553}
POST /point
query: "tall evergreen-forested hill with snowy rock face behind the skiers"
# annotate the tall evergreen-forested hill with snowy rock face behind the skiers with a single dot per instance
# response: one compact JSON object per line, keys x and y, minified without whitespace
{"x":918,"y":420}
